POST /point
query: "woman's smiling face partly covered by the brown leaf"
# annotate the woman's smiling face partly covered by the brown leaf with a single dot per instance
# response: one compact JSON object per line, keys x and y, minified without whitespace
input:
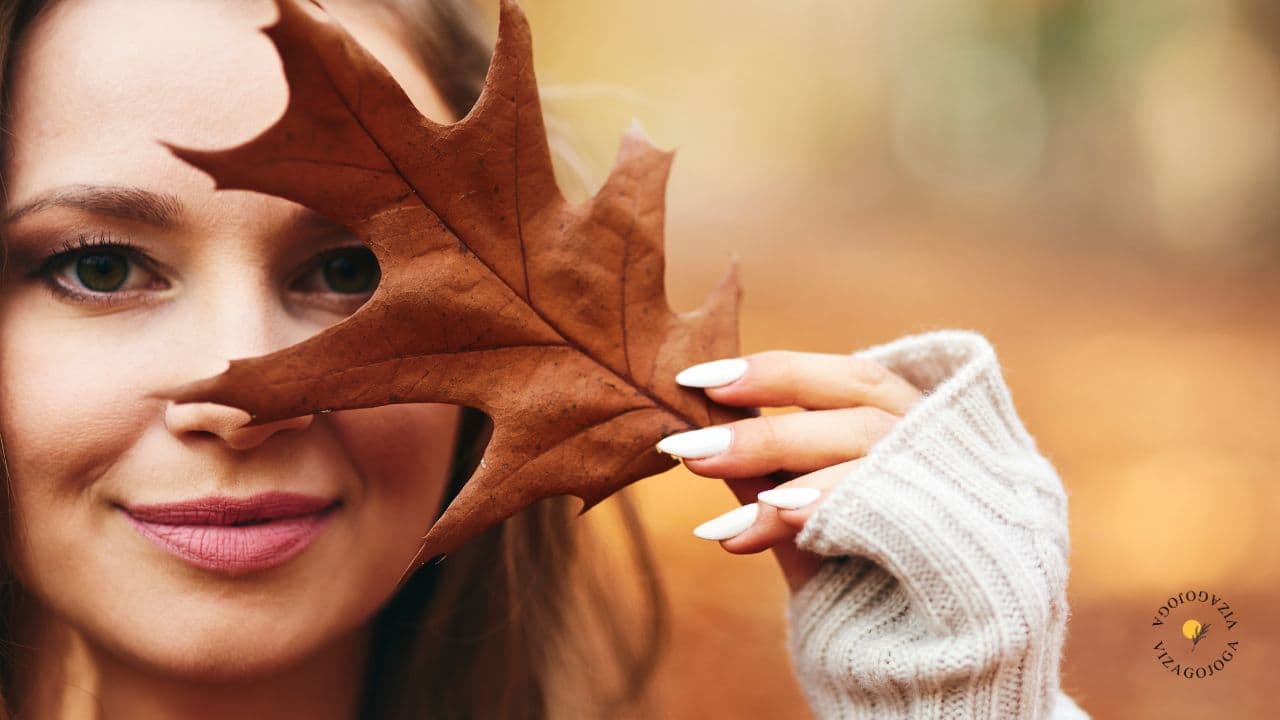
{"x":225,"y":275}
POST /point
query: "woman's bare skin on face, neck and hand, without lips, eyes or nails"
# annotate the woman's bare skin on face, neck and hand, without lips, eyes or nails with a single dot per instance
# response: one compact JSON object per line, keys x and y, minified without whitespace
{"x":124,"y":630}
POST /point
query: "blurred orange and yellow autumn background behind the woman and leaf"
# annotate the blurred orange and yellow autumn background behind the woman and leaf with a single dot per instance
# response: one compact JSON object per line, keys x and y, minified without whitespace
{"x":1091,"y":184}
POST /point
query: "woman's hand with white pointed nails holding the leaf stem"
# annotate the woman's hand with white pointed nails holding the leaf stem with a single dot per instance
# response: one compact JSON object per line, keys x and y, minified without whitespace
{"x":851,"y":403}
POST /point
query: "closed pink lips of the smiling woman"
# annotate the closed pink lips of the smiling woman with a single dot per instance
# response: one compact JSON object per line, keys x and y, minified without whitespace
{"x":235,"y":536}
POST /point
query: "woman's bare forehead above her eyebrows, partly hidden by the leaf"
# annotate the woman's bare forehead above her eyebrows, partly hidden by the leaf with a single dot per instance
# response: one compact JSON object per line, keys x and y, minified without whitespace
{"x":97,"y":84}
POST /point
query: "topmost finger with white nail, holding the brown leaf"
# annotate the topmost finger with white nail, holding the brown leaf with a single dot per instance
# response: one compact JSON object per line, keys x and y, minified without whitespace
{"x":816,"y":381}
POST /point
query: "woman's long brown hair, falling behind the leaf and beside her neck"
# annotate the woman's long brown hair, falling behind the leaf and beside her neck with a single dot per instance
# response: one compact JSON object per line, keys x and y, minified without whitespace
{"x":516,"y":625}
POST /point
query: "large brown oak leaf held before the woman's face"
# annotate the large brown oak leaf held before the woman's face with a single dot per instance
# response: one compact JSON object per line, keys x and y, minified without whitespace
{"x":496,"y":293}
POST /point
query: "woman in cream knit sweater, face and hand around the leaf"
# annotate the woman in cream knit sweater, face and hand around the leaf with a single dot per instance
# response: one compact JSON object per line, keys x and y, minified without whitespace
{"x":126,"y":272}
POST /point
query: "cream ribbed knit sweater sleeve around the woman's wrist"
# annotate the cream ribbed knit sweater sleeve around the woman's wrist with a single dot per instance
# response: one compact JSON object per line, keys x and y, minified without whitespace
{"x":944,"y":590}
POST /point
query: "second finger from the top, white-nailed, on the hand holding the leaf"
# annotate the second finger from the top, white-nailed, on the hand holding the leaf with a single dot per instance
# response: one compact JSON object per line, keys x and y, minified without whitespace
{"x":798,"y":443}
